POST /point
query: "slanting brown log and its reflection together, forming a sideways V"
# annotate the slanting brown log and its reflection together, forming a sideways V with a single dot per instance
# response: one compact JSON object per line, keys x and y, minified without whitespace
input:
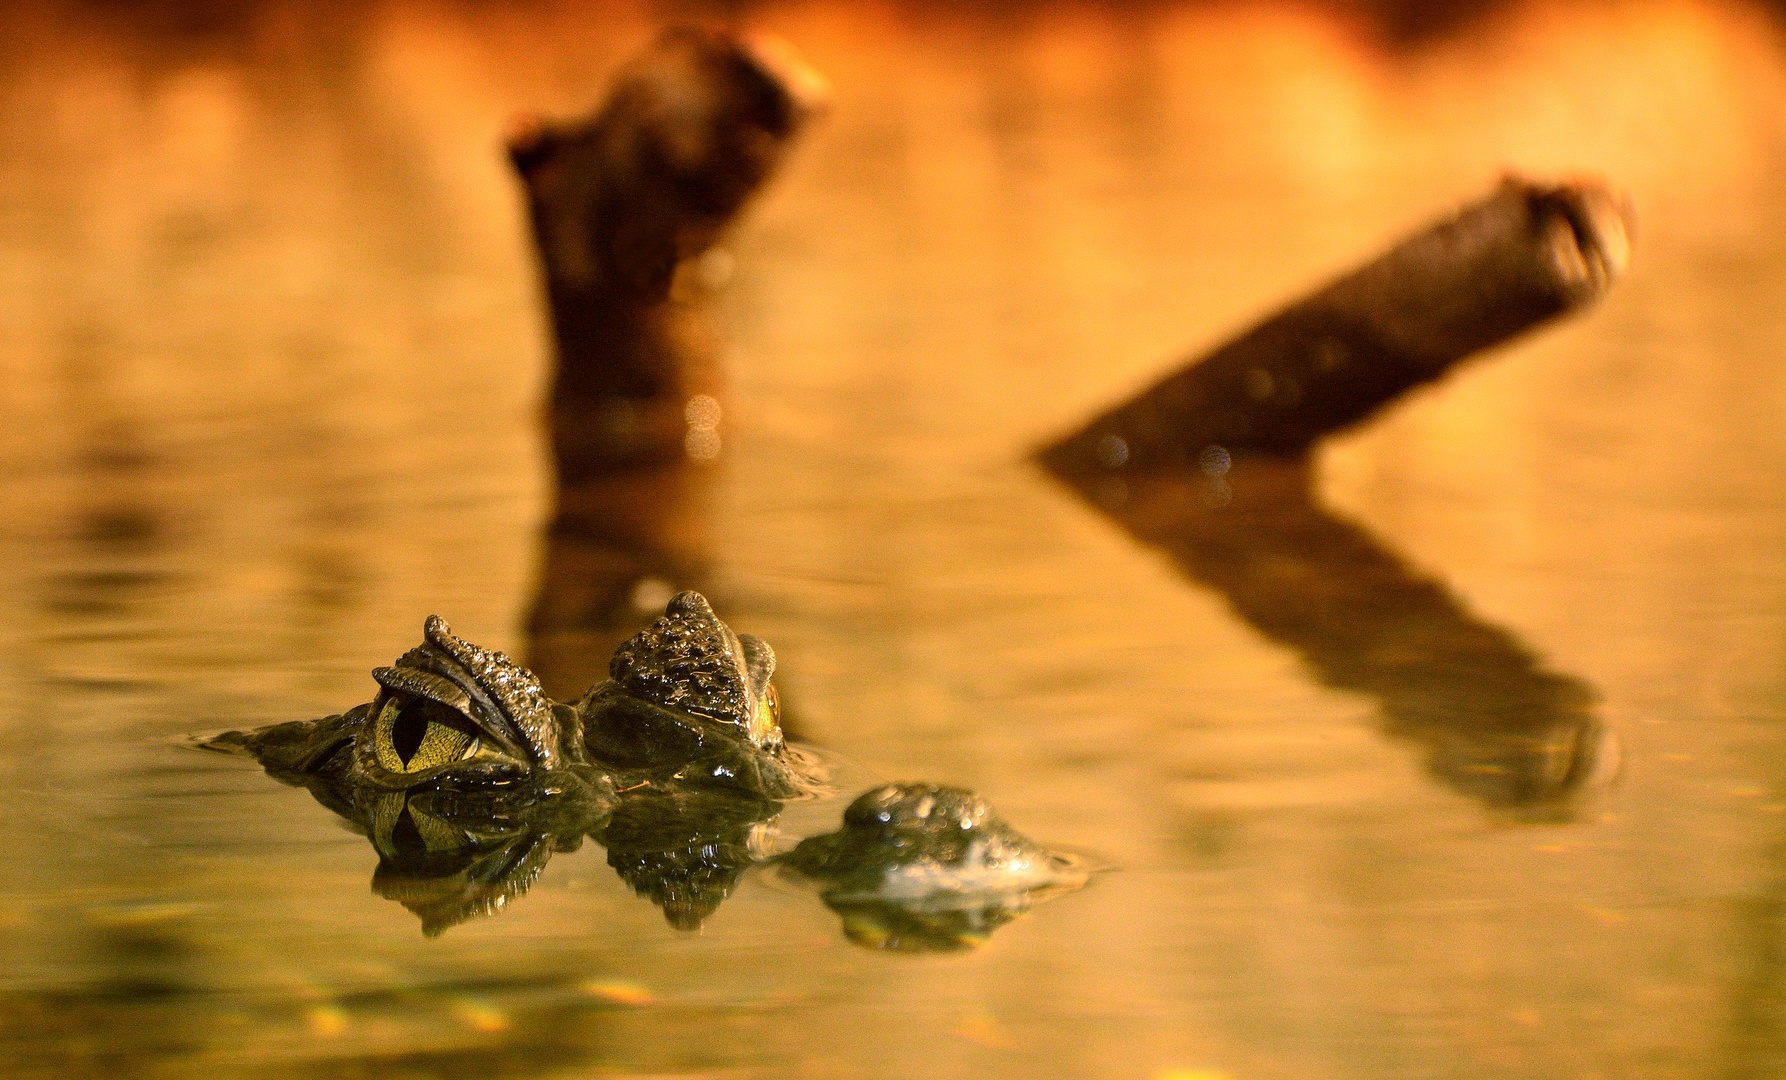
{"x":1212,"y":469}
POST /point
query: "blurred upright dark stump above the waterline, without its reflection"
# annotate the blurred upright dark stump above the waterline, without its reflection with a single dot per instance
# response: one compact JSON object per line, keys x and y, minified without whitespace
{"x":621,"y":203}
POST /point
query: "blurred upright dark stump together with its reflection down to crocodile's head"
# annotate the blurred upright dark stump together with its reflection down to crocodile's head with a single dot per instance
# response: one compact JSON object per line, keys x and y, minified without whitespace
{"x":628,"y":208}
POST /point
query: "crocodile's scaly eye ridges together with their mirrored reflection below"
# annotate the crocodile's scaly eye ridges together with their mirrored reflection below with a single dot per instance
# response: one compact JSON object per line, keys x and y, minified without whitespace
{"x":467,"y":777}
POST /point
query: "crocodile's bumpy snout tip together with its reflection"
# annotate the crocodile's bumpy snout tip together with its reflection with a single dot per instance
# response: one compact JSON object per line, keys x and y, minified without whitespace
{"x":928,"y":868}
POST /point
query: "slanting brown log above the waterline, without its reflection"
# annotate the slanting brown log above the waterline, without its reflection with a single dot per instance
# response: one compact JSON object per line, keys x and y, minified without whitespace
{"x":1499,"y":267}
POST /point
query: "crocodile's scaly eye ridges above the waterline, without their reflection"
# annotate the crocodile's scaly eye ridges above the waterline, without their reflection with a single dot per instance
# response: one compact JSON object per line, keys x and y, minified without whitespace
{"x":690,"y":701}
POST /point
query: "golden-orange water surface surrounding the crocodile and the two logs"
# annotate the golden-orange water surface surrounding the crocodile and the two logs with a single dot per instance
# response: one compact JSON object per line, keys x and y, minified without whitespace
{"x":272,"y":351}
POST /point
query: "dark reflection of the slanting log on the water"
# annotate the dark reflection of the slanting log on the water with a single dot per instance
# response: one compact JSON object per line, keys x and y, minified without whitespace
{"x":1494,"y":724}
